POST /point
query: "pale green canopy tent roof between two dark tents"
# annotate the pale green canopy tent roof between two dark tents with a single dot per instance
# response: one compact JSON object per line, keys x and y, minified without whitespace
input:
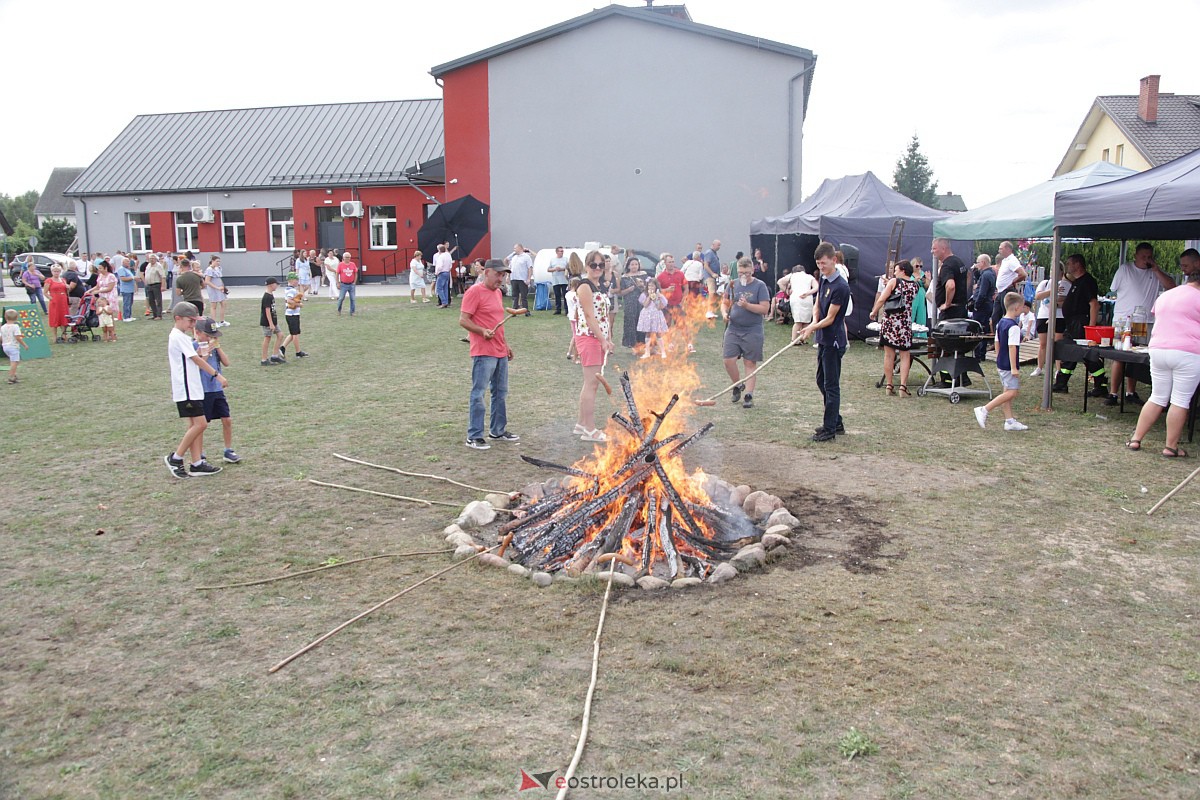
{"x":1028,"y":214}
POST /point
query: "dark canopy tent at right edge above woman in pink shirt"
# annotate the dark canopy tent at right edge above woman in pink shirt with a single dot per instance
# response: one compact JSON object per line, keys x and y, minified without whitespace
{"x":1160,"y":203}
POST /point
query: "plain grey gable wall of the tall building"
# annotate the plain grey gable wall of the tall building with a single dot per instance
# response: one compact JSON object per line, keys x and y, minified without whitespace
{"x":573,"y":119}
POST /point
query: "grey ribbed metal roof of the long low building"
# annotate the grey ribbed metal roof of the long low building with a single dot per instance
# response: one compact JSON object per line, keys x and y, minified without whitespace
{"x":338,"y":145}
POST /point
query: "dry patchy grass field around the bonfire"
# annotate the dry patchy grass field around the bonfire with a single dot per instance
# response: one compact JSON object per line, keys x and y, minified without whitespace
{"x":967,"y":613}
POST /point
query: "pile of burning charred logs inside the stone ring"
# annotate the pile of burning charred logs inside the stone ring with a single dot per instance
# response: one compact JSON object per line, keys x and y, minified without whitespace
{"x":635,"y":507}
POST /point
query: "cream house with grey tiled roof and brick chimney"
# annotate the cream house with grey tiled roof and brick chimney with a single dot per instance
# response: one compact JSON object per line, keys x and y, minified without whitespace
{"x":1136,"y":131}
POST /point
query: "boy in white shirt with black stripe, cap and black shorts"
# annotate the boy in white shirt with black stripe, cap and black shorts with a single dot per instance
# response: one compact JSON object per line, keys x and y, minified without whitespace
{"x":188,"y":392}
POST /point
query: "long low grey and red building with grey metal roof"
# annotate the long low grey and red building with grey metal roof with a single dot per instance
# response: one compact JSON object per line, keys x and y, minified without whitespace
{"x":253,"y":184}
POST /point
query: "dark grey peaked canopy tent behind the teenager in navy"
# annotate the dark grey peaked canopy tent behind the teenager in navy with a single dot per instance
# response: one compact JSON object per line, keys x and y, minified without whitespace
{"x":856,"y":210}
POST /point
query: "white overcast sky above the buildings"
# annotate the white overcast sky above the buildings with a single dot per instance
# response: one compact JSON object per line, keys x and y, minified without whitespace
{"x":997,"y":91}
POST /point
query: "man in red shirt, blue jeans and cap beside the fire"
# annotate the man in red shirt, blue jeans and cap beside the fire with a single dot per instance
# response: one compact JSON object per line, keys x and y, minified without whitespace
{"x":482,"y":314}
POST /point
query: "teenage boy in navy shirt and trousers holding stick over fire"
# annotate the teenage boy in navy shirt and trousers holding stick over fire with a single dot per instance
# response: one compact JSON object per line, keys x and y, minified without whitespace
{"x":830,"y":326}
